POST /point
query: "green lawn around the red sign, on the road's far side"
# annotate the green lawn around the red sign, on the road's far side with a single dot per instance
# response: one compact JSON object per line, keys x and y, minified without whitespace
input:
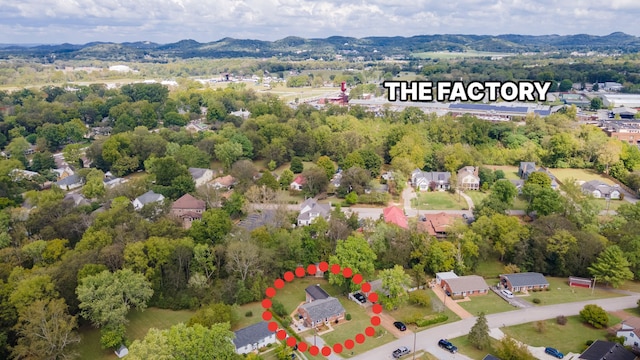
{"x":560,"y":292}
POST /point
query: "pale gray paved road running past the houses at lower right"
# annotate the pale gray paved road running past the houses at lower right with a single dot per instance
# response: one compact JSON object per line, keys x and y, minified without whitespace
{"x":427,"y":340}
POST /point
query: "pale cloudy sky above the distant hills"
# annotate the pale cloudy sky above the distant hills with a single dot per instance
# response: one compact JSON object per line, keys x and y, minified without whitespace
{"x":166,"y":21}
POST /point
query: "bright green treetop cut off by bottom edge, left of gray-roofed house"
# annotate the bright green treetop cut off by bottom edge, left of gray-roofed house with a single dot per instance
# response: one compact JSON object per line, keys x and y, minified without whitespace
{"x":185,"y":342}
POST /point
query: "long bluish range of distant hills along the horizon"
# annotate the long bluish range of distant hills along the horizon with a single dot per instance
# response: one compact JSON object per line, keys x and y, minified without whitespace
{"x":370,"y":48}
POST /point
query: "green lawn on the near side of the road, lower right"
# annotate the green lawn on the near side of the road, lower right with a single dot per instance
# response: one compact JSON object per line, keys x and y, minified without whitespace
{"x":566,"y":338}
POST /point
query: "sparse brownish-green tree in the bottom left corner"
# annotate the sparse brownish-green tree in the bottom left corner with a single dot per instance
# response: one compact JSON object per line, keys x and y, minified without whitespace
{"x":46,"y":331}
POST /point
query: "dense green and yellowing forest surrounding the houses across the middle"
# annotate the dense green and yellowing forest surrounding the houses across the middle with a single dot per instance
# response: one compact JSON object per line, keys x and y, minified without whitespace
{"x":61,"y":262}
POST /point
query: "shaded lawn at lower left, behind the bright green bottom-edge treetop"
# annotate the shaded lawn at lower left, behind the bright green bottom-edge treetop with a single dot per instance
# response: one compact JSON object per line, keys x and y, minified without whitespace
{"x":139,"y":323}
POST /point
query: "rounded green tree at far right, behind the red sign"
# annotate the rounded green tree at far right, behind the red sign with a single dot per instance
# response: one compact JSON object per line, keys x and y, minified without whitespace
{"x":611,"y":267}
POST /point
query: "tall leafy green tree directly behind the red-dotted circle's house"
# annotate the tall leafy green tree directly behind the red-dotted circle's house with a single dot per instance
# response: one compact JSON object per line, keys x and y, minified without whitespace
{"x":355,"y":253}
